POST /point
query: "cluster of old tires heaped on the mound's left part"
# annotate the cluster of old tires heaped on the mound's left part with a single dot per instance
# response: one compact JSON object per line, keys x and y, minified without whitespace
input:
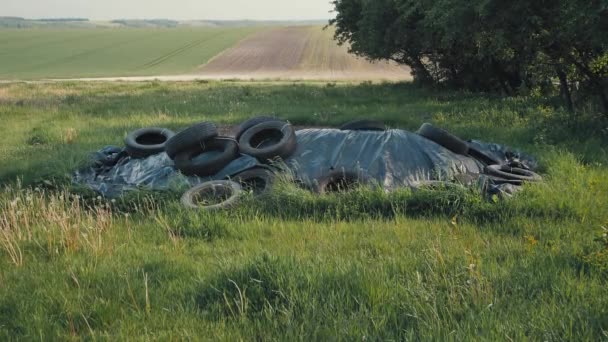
{"x":200,"y":151}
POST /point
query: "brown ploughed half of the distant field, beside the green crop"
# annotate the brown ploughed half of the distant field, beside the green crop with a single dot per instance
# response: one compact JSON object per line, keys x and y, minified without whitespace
{"x":297,"y":53}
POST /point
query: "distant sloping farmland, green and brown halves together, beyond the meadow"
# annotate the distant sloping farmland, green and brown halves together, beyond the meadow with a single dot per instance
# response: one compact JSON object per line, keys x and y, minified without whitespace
{"x":295,"y":52}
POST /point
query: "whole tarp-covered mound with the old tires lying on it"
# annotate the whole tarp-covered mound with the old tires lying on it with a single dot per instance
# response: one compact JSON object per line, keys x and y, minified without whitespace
{"x":217,"y":168}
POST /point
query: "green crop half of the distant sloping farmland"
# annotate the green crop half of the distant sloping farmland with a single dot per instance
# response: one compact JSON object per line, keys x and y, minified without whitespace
{"x":67,"y":53}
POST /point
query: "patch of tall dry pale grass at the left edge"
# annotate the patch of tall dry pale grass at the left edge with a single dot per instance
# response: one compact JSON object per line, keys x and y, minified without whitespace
{"x":50,"y":223}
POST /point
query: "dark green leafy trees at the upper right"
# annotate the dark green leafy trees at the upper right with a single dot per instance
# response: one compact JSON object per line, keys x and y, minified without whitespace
{"x":486,"y":45}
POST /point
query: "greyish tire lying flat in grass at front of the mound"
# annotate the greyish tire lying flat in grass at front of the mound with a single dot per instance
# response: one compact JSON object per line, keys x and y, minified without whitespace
{"x":227,"y":191}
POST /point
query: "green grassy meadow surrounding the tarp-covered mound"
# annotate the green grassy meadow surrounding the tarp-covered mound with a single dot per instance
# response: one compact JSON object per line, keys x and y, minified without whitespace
{"x":366,"y":265}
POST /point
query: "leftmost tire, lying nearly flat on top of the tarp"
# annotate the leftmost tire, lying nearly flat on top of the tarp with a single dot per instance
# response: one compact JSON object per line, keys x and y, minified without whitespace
{"x":146,"y":142}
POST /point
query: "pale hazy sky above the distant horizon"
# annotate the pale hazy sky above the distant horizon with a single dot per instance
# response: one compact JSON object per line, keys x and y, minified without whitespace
{"x":172,"y":9}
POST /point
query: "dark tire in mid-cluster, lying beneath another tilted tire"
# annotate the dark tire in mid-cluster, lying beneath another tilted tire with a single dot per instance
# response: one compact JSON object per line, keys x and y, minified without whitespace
{"x":190,"y":162}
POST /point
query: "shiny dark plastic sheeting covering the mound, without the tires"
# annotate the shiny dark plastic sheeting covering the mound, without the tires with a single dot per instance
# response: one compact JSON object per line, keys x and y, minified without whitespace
{"x":394,"y":159}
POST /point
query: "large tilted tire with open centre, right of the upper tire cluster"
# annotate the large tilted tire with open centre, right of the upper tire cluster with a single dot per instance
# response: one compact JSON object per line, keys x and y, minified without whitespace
{"x":269,"y":140}
